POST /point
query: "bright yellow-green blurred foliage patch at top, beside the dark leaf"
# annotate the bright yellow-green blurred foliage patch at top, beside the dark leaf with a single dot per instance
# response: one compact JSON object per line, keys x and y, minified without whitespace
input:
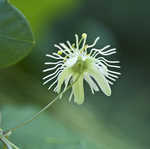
{"x":38,"y":12}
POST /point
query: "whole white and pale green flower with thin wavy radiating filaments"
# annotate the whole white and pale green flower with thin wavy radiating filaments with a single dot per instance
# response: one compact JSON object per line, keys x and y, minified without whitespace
{"x":80,"y":61}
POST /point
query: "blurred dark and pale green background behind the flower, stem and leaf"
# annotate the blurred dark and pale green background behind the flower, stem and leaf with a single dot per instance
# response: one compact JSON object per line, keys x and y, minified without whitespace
{"x":118,"y":122}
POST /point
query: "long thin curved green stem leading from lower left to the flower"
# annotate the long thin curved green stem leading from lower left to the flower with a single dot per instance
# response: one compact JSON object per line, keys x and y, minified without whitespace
{"x":42,"y":110}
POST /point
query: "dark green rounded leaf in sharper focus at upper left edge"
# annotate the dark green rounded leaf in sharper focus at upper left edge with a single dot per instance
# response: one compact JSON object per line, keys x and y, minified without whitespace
{"x":16,"y":38}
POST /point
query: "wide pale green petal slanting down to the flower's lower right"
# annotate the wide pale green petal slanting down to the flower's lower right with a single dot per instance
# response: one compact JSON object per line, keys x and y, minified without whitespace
{"x":100,"y":79}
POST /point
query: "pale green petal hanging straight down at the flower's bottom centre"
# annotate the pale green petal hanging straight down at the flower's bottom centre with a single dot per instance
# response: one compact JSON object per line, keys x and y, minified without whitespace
{"x":78,"y":90}
